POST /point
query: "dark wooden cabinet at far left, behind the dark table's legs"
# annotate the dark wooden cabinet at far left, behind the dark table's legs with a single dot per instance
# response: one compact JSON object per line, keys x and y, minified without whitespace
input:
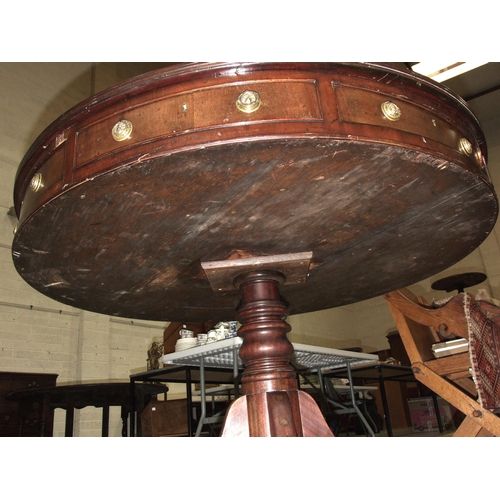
{"x":9,"y":413}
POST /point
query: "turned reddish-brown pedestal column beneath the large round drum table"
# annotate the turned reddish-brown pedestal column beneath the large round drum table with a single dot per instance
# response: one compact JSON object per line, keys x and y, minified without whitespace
{"x":272,"y":404}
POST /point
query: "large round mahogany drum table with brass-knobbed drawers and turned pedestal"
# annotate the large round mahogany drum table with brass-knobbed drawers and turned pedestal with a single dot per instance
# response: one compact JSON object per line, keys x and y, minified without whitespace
{"x":204,"y":191}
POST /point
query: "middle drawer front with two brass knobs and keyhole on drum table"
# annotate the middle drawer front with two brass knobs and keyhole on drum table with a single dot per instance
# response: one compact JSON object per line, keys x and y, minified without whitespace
{"x":188,"y":112}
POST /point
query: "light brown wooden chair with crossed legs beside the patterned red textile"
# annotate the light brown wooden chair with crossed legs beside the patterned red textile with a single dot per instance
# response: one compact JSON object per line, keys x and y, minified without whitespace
{"x":450,"y":377}
